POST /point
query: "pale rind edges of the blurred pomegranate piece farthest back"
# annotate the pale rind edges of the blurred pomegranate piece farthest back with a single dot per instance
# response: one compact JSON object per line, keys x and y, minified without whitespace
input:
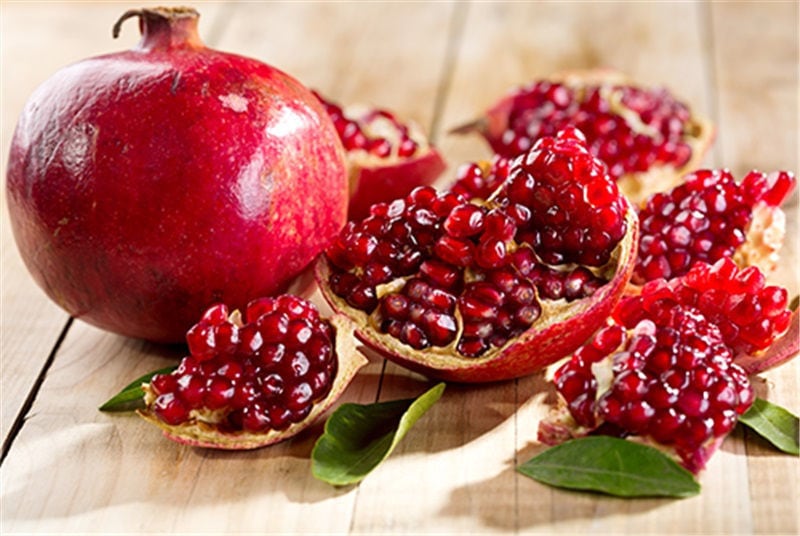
{"x":700,"y":133}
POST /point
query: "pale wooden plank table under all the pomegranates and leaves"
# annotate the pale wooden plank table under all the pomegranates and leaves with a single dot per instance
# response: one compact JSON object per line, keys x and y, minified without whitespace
{"x":69,"y":468}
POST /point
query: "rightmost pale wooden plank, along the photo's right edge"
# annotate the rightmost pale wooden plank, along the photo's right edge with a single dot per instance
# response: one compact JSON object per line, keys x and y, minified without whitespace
{"x":756,"y":70}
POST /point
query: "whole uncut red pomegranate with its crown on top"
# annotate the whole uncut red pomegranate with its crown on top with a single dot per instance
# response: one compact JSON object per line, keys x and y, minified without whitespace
{"x":145,"y":185}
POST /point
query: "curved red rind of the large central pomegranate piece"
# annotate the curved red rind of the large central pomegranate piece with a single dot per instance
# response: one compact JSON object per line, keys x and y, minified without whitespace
{"x":561,"y":328}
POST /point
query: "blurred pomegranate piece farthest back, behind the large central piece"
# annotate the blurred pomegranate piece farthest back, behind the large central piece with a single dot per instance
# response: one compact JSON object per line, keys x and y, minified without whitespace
{"x":646,"y":136}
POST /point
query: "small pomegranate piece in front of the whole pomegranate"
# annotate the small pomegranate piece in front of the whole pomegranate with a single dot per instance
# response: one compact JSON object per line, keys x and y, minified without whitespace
{"x":254,"y":379}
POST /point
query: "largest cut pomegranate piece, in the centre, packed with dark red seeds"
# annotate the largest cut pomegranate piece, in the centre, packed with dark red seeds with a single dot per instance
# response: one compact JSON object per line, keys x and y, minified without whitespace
{"x":483,"y":290}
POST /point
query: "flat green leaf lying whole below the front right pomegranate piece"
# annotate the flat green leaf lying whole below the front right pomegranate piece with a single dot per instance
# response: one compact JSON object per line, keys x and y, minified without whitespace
{"x":613,"y":466}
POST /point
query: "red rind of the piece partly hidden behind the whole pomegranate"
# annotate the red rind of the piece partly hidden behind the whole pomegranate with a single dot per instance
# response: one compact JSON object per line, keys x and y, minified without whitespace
{"x":375,"y":180}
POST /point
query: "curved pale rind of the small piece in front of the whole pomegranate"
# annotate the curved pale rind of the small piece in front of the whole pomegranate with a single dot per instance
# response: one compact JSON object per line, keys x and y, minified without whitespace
{"x":198,"y":433}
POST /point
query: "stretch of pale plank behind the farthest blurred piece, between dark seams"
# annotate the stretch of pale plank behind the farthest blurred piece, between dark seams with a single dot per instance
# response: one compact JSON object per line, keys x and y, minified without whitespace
{"x":505,"y":45}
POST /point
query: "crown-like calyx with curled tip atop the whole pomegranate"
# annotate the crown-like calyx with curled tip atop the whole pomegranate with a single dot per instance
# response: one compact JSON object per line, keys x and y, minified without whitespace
{"x":163,"y":27}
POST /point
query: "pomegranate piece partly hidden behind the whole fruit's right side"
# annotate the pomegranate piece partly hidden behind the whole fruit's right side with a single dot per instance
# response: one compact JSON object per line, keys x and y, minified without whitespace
{"x":386,"y":157}
